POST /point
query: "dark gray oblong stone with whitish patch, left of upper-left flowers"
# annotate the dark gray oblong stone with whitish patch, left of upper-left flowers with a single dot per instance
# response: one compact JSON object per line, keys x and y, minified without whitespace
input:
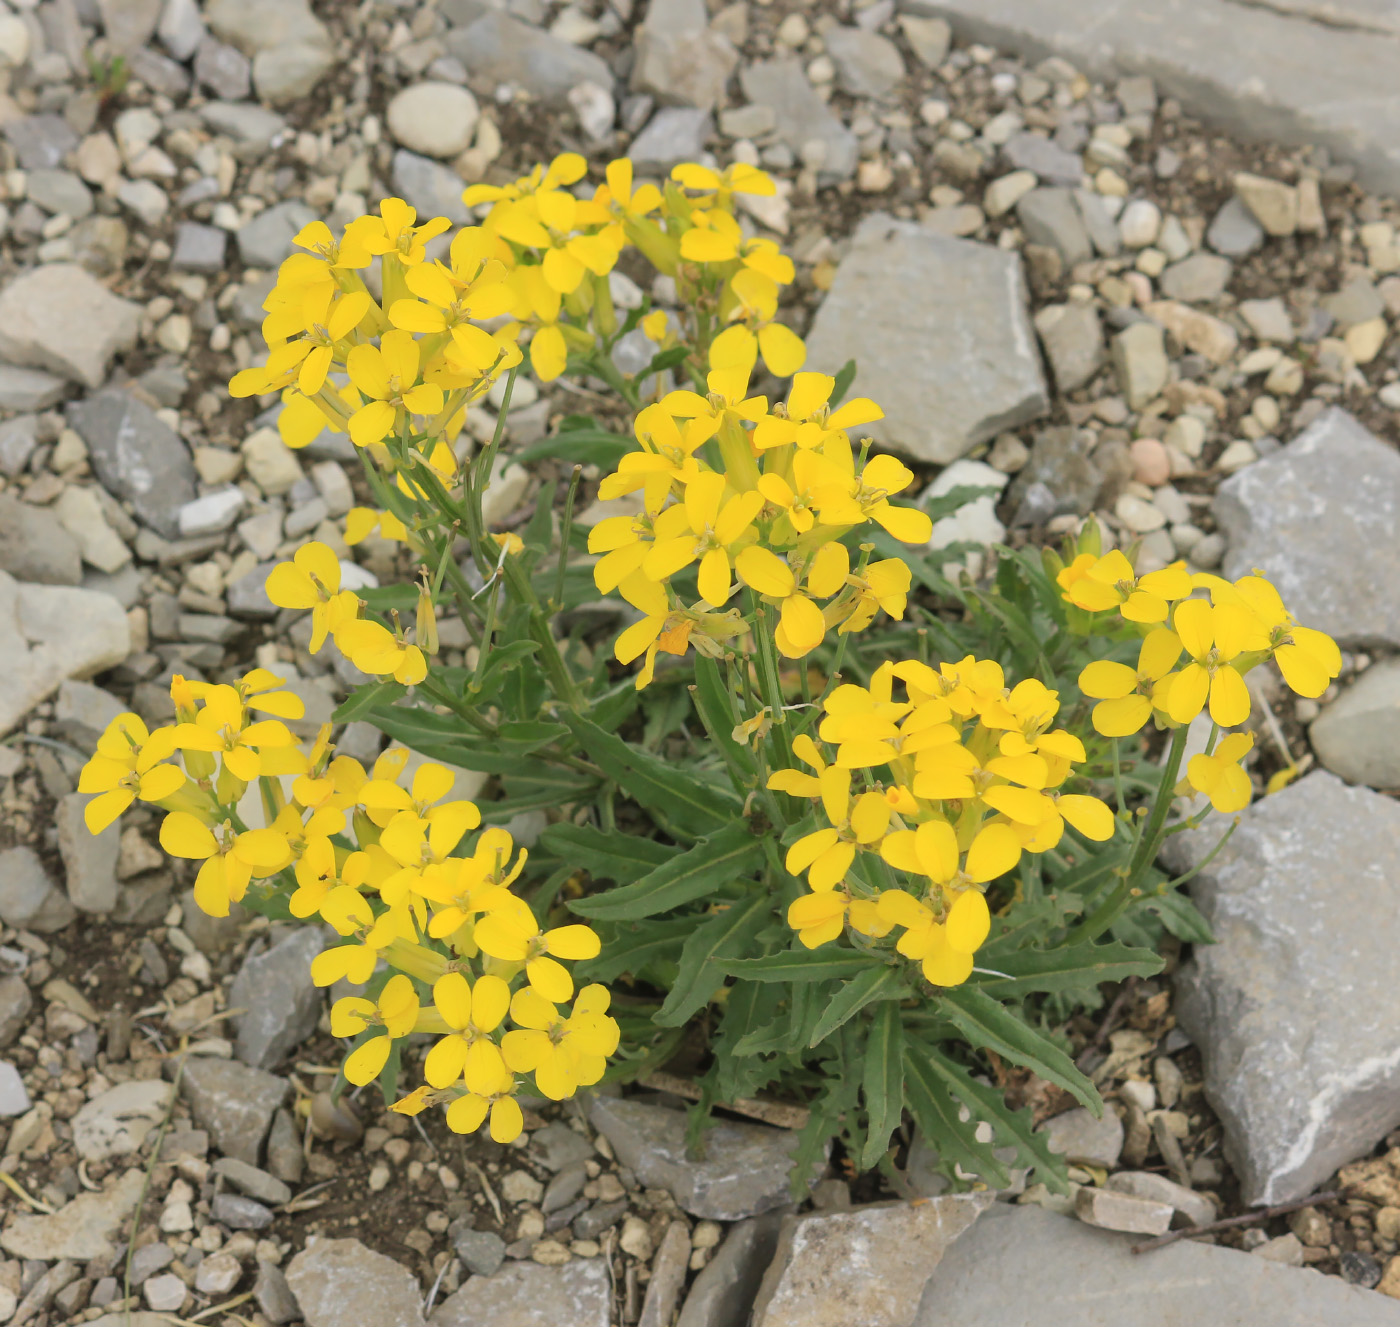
{"x":138,"y":457}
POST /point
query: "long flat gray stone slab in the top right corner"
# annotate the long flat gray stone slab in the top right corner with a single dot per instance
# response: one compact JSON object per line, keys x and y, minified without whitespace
{"x":1296,"y":72}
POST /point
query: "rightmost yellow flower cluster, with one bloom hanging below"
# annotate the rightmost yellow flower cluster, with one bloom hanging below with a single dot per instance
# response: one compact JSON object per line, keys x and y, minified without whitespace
{"x":1195,"y":657}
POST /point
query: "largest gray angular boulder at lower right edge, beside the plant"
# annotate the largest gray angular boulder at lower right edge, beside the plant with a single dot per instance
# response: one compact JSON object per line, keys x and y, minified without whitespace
{"x":1293,"y":1009}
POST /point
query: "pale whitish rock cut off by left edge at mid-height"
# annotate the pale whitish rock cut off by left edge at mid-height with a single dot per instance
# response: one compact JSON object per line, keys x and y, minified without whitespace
{"x":51,"y":633}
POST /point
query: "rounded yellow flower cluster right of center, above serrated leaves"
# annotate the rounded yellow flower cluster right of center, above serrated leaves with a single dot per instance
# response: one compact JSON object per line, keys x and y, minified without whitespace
{"x":957,"y":780}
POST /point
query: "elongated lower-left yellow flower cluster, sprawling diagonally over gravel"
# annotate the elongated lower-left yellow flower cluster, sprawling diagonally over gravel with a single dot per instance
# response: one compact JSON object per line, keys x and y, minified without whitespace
{"x":391,"y":870}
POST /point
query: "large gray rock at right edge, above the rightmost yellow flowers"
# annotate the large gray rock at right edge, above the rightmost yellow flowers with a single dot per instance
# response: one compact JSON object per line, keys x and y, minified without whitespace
{"x":1319,"y":517}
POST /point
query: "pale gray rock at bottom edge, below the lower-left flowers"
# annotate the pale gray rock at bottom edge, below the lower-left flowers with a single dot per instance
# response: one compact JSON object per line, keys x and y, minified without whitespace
{"x":338,"y":1283}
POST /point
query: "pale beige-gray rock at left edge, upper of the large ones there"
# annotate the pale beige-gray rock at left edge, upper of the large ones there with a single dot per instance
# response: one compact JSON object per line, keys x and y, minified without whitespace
{"x":59,"y":317}
